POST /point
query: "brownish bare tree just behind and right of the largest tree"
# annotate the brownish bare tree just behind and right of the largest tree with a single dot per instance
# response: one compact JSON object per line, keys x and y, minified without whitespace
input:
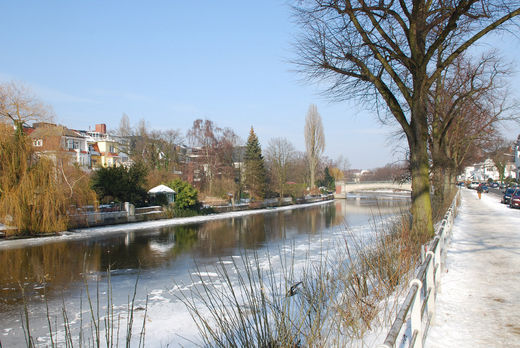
{"x":466,"y":95}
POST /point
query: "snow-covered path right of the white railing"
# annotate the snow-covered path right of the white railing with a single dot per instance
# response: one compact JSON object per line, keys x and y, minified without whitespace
{"x":479,"y":302}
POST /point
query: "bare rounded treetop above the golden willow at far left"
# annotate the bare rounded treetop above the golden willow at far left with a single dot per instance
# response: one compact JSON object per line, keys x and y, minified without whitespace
{"x":19,"y":106}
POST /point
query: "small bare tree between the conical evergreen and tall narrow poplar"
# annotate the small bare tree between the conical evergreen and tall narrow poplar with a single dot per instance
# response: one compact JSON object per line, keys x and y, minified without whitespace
{"x":279,"y":154}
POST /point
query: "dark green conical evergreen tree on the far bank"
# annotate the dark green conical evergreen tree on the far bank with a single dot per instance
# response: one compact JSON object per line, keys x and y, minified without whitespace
{"x":254,"y":168}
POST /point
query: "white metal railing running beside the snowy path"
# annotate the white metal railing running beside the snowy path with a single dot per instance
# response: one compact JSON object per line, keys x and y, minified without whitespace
{"x":415,"y":315}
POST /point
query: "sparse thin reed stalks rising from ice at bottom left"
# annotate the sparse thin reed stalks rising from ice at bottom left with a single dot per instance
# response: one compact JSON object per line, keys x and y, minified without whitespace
{"x":97,"y":328}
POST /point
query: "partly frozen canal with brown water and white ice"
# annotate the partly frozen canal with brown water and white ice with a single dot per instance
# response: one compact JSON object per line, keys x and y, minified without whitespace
{"x":169,"y":259}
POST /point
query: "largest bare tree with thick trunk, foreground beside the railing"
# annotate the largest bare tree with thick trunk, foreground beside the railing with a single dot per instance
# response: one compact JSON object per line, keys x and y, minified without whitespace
{"x":387,"y":54}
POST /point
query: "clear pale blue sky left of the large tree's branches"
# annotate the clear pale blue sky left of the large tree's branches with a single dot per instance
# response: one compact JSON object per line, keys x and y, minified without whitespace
{"x":171,"y":62}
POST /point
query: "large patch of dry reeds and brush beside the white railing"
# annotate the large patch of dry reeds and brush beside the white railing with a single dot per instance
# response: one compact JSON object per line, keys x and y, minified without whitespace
{"x":333,"y":300}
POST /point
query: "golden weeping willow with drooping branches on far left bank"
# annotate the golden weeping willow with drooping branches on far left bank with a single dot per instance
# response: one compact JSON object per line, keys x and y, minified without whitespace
{"x":32,"y":199}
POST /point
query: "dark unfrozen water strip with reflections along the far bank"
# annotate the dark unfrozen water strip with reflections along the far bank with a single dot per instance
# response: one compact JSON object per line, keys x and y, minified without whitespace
{"x":61,"y":266}
